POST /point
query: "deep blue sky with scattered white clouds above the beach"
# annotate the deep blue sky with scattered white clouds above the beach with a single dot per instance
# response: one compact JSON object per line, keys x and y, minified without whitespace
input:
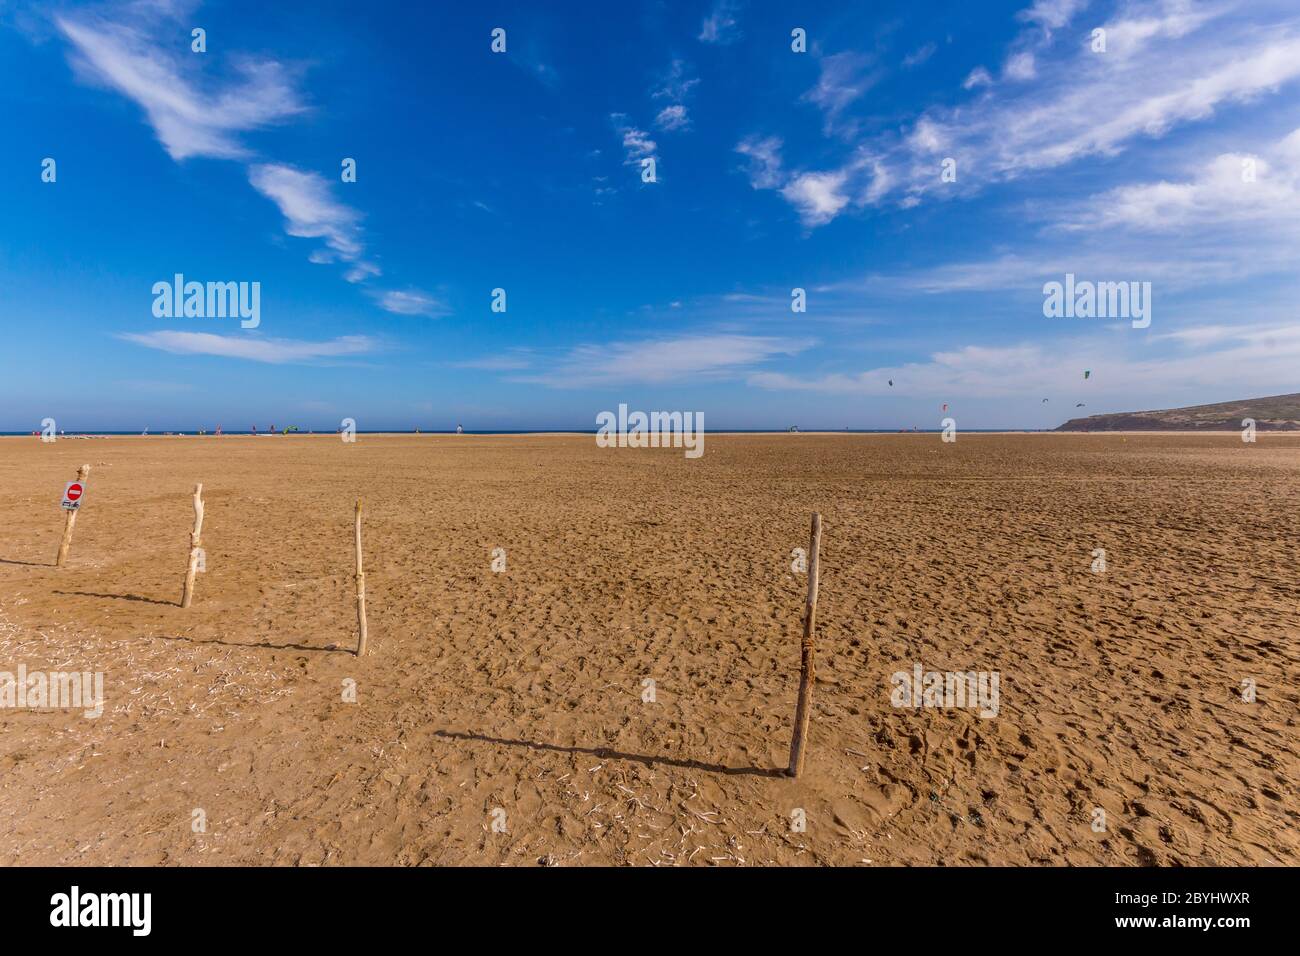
{"x":523,"y":171}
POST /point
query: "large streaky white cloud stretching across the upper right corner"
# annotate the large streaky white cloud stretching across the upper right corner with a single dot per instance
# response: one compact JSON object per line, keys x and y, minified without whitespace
{"x":1167,"y":64}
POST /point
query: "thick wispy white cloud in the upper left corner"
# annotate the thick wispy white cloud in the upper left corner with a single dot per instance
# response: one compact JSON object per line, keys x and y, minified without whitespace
{"x":188,"y":120}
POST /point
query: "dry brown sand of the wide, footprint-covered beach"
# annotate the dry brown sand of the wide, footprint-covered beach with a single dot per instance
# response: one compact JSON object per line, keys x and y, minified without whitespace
{"x":523,"y":690}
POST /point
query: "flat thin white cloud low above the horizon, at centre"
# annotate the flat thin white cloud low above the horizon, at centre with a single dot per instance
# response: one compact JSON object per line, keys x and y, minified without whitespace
{"x":703,"y":357}
